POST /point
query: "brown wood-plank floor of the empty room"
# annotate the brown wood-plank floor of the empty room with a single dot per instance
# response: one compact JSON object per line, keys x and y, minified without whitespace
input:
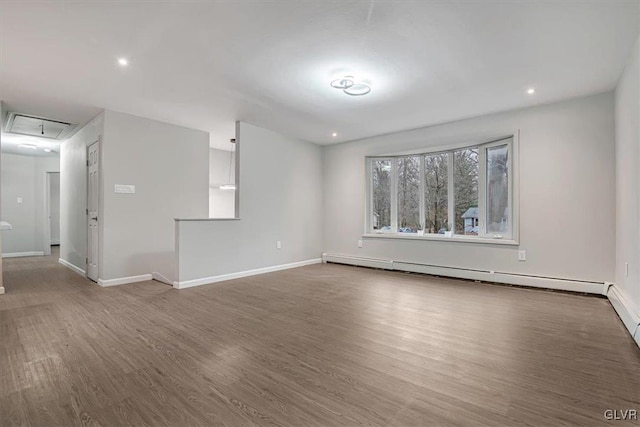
{"x":322,"y":345}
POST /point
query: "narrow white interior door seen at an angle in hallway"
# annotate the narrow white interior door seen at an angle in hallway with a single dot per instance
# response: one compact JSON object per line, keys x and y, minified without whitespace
{"x":93,"y":173}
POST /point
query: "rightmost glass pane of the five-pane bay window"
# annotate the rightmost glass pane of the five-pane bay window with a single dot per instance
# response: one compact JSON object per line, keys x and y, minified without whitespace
{"x":497,"y":189}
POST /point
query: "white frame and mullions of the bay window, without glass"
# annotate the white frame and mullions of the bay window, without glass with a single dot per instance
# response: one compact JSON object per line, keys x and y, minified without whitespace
{"x":510,"y":238}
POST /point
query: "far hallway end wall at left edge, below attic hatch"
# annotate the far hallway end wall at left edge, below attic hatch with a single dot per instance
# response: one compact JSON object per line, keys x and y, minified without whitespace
{"x":25,"y":177}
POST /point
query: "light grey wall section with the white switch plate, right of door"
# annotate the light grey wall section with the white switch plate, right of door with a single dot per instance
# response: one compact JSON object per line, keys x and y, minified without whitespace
{"x":169,"y":166}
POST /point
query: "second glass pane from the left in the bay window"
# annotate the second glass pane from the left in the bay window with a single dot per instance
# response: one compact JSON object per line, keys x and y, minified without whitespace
{"x":408,"y":194}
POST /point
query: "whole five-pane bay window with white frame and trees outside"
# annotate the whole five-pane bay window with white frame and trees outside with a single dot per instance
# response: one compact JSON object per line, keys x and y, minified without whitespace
{"x":459,"y":192}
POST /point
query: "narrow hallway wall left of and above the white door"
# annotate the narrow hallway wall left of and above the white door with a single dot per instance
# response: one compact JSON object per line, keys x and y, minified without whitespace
{"x":73,"y":192}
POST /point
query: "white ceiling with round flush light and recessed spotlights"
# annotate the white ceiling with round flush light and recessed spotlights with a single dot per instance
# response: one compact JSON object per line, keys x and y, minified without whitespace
{"x":206,"y":64}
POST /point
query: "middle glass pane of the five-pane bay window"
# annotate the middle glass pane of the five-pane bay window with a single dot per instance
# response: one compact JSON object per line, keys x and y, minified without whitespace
{"x":436,"y":179}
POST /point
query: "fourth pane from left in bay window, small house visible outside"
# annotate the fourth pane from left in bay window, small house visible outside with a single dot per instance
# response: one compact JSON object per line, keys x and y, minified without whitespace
{"x":465,"y":183}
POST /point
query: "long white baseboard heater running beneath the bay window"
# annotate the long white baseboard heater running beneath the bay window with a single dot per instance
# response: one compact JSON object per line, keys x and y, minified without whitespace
{"x":471,"y":274}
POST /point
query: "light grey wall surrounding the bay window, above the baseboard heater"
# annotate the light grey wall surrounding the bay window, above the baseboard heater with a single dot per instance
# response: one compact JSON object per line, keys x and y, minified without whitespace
{"x":567,"y":215}
